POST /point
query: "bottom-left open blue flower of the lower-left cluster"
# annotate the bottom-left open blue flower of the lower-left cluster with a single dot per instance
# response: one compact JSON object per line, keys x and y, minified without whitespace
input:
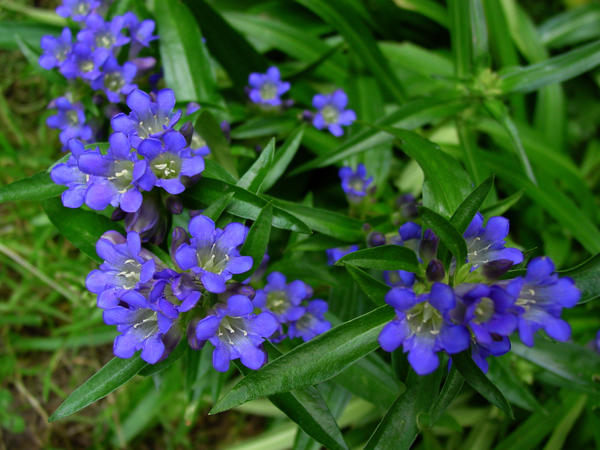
{"x":144,"y":325}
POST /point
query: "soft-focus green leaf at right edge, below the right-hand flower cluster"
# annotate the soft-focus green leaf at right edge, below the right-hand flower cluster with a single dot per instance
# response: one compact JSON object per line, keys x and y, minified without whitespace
{"x":578,"y":365}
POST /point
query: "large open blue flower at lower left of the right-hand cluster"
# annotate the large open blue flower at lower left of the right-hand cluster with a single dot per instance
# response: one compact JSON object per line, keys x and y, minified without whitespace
{"x":423,"y":326}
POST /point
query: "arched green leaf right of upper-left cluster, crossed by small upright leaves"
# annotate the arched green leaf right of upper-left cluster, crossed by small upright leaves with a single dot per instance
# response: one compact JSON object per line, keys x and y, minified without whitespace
{"x":245,"y":204}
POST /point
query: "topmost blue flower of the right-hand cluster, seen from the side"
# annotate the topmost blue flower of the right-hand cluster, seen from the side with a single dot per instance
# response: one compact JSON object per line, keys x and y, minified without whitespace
{"x":486,"y":244}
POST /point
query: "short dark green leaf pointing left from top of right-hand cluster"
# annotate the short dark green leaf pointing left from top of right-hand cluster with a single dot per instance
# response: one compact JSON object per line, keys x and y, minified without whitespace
{"x":384,"y":257}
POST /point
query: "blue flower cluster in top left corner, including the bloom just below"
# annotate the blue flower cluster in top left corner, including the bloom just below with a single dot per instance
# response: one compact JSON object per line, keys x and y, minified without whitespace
{"x":92,"y":57}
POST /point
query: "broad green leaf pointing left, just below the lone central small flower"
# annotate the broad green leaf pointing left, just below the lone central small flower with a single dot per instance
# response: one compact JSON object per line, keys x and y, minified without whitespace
{"x":326,"y":222}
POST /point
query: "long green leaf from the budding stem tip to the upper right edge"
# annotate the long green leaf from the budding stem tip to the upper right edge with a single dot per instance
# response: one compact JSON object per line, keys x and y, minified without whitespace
{"x":554,"y":70}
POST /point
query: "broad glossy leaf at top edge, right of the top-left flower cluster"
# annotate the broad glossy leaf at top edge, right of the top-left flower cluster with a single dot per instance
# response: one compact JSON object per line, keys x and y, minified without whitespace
{"x":184,"y":57}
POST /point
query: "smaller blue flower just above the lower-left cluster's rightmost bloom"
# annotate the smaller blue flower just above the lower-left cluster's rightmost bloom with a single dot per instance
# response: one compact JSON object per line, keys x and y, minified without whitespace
{"x":282,"y":299}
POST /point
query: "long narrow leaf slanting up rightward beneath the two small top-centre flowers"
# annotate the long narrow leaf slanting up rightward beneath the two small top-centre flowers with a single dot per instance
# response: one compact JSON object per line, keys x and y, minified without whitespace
{"x":410,"y":115}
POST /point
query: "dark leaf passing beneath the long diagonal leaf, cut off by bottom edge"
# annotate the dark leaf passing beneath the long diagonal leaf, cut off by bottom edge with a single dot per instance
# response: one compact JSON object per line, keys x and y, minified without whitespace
{"x":307,"y":408}
